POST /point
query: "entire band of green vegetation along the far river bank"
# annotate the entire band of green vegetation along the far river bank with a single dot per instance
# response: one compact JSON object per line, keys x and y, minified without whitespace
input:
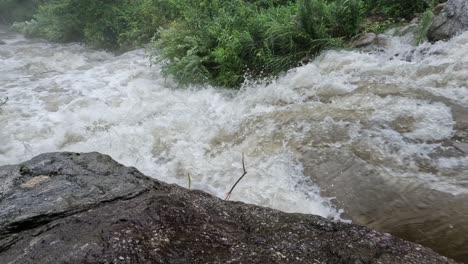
{"x":219,"y":42}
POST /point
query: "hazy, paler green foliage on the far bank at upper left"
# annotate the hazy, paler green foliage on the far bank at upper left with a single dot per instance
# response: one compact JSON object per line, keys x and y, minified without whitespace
{"x":110,"y":24}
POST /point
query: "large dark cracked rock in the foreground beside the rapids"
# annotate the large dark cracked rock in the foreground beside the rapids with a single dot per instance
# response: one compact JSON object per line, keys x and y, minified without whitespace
{"x":87,"y":208}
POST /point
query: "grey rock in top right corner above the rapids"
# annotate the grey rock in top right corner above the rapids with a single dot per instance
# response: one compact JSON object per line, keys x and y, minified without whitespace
{"x":451,"y":19}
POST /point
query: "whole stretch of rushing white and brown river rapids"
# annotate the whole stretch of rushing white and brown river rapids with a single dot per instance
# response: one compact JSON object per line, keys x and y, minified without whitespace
{"x":379,"y":138}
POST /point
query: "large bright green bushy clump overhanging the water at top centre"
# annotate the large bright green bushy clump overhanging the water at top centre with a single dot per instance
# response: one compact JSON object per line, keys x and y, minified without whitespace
{"x":222,"y":41}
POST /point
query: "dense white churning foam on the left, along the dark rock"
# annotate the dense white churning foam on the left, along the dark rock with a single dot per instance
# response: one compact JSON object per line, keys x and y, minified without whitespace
{"x":64,"y":97}
